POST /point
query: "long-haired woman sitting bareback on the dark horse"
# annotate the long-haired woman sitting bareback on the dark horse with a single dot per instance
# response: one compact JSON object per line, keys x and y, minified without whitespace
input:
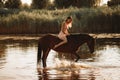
{"x":64,"y":31}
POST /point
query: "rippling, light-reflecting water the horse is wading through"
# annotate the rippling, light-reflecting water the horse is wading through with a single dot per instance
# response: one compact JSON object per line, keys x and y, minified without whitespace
{"x":18,"y":62}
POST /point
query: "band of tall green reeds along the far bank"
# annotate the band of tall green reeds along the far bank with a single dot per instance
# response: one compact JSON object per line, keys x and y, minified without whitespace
{"x":92,"y":20}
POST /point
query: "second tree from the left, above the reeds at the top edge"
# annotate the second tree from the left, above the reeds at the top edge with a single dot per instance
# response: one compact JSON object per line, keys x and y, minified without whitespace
{"x":40,"y":4}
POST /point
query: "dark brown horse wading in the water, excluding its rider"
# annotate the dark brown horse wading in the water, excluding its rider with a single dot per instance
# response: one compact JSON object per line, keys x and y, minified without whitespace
{"x":47,"y":42}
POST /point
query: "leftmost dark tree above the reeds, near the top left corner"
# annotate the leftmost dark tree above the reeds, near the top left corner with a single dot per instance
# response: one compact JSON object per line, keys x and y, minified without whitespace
{"x":13,"y":3}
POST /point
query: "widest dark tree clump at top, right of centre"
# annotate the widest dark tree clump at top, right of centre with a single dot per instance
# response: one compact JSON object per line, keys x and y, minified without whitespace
{"x":76,"y":3}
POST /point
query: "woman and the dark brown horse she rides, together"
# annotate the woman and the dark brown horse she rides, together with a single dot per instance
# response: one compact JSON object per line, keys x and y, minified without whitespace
{"x":63,"y":43}
